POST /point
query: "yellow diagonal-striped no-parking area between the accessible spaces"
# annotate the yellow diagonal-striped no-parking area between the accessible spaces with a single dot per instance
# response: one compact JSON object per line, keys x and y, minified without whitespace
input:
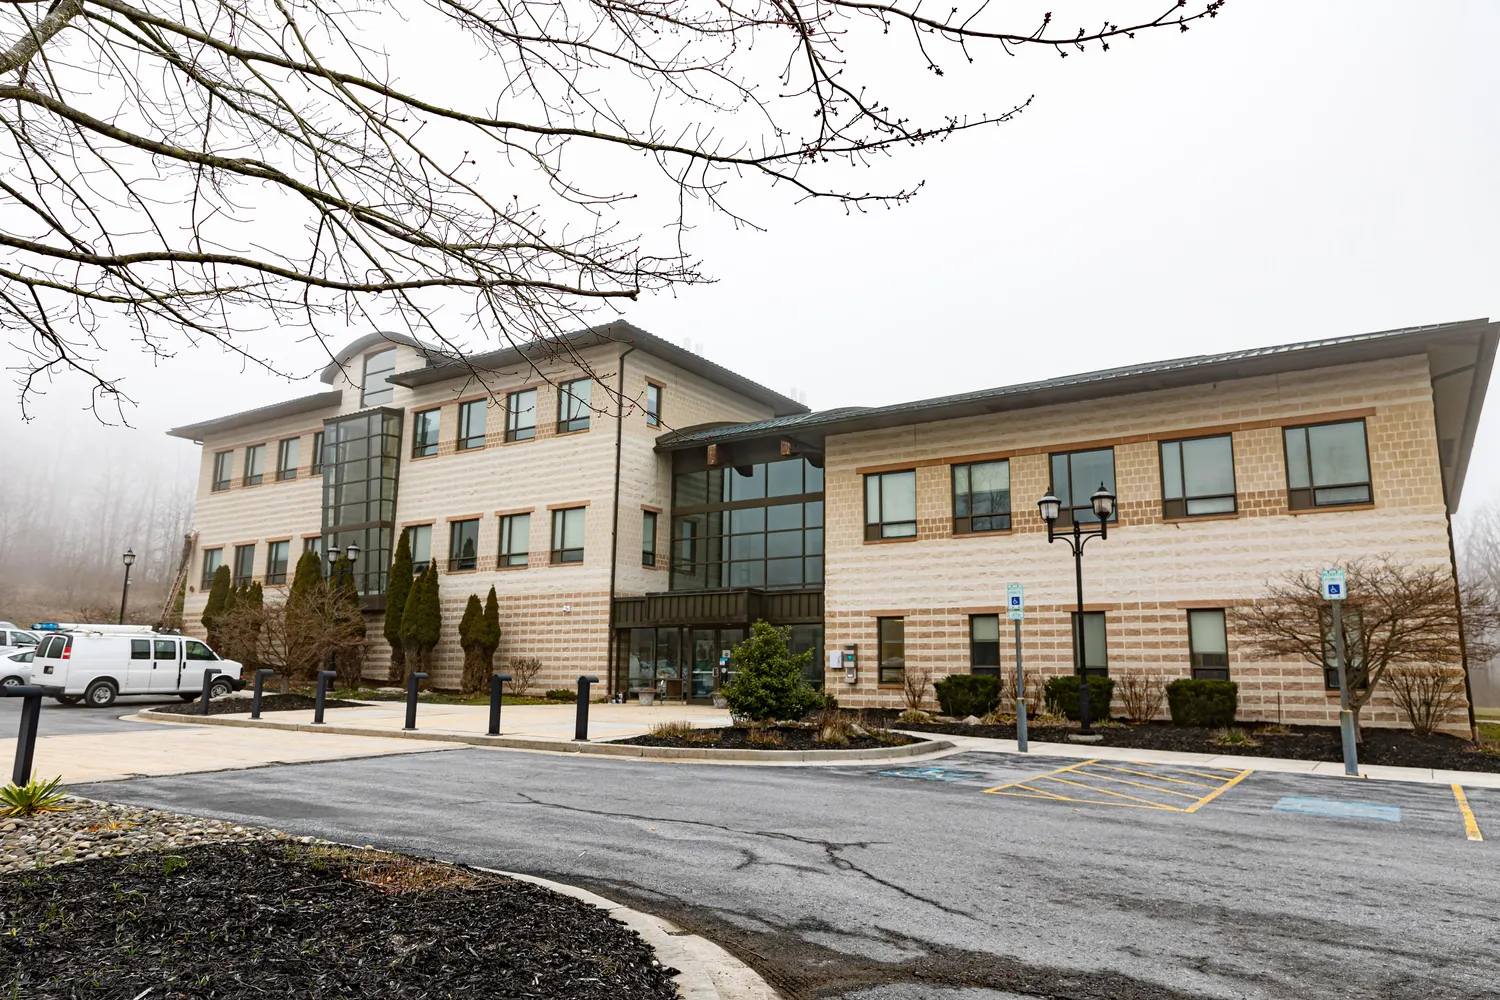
{"x":1129,"y":783}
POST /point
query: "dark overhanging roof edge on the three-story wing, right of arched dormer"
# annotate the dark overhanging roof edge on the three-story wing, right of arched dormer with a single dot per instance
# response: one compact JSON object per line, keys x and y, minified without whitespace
{"x":442,"y":368}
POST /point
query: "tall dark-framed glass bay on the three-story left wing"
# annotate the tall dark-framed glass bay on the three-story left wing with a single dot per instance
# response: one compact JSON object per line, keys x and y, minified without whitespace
{"x":362,"y":460}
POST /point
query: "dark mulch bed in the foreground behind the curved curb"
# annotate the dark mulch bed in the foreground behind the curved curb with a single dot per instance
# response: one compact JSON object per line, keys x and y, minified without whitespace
{"x":308,"y":921}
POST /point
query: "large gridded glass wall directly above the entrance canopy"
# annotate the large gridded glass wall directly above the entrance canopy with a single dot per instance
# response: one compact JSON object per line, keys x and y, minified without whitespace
{"x":749,"y":527}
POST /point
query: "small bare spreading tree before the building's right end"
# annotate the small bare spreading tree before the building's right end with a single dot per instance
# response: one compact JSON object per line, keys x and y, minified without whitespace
{"x":1396,"y":615}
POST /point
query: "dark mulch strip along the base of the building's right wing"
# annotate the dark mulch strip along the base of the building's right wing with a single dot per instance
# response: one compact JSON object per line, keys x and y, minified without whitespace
{"x":1396,"y":747}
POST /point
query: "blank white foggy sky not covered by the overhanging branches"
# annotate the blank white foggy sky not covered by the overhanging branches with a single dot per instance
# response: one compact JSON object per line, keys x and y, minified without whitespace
{"x":1288,"y":172}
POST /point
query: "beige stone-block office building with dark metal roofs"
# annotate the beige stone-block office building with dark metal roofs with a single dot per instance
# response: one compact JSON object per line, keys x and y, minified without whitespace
{"x":637,"y":507}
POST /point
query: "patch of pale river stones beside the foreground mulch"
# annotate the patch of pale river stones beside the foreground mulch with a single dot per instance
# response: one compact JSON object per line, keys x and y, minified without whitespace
{"x":101,"y":830}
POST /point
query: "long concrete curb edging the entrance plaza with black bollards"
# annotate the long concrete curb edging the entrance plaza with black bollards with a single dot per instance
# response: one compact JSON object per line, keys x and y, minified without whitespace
{"x":568,"y":747}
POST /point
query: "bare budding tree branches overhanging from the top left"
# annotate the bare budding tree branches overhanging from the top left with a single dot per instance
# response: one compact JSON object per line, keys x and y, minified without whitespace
{"x":200,"y":172}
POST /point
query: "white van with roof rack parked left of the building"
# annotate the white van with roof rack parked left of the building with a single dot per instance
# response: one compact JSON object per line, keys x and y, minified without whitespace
{"x":97,"y":666}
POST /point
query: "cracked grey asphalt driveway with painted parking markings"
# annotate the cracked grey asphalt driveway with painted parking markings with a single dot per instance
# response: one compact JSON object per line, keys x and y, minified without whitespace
{"x":979,"y":878}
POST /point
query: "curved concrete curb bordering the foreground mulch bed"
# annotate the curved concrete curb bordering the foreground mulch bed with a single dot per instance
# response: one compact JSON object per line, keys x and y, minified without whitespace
{"x":704,"y":971}
